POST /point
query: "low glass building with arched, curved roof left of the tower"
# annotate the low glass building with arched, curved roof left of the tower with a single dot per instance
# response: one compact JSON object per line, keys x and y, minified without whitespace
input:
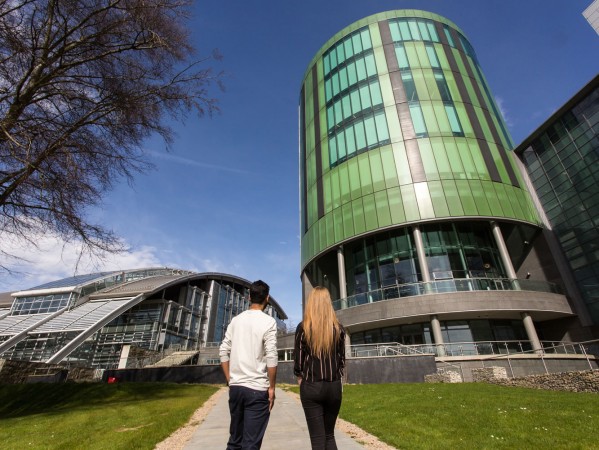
{"x":88,"y":320}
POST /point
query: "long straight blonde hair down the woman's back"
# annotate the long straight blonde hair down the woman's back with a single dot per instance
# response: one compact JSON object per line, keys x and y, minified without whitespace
{"x":321,"y":326}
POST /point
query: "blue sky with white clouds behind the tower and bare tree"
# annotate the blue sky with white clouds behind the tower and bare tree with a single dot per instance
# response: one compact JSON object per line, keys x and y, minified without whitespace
{"x":226,"y":197}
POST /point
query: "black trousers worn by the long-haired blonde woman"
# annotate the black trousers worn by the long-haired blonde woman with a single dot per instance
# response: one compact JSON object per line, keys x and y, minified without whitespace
{"x":321,"y":401}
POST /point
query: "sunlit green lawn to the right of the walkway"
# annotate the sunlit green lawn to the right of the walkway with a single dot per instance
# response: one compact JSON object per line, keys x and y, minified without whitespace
{"x":472,"y":416}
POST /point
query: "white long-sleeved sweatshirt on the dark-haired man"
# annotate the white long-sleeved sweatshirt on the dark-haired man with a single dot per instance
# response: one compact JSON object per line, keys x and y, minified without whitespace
{"x":250,"y":346}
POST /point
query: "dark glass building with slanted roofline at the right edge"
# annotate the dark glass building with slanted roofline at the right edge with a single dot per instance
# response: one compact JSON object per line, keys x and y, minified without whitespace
{"x":562,"y":160}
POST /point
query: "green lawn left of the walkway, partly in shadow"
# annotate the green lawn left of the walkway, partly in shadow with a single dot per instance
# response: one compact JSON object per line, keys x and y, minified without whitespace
{"x":95,"y":416}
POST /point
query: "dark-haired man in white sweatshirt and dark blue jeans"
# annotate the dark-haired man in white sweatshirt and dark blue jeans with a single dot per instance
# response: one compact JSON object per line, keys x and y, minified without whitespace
{"x":248,"y":356}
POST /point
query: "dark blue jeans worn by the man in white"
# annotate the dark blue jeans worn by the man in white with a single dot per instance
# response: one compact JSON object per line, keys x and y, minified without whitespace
{"x":249,"y":417}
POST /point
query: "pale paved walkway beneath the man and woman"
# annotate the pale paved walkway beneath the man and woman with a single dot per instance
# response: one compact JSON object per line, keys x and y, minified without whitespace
{"x":286,"y":429}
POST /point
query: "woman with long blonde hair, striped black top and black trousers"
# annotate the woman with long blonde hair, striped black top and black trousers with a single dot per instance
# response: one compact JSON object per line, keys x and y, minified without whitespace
{"x":319,"y":362}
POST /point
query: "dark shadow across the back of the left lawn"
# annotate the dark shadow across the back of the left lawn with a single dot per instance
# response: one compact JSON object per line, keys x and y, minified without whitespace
{"x":17,"y":400}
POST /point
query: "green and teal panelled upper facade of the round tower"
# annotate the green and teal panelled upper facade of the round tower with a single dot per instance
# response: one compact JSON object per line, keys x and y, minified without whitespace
{"x":397,"y":127}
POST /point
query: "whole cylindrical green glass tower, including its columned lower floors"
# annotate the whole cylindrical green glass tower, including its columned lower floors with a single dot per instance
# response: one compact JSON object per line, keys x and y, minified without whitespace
{"x":414,"y":212}
